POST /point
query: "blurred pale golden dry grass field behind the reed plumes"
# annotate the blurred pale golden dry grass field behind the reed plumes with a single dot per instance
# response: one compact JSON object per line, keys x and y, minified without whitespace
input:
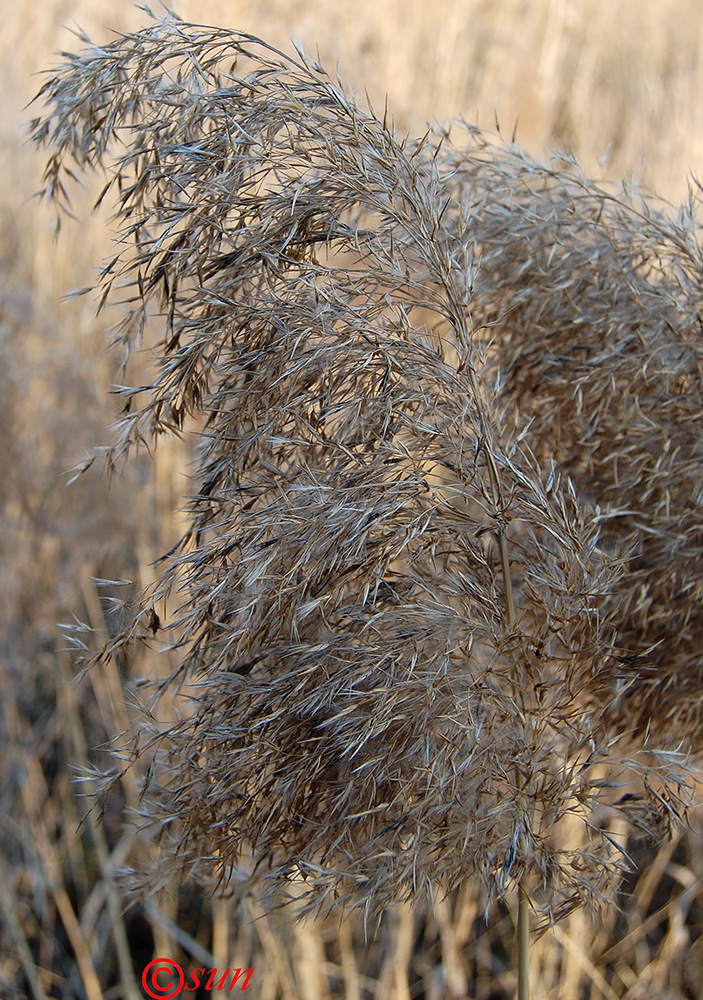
{"x":619,"y":84}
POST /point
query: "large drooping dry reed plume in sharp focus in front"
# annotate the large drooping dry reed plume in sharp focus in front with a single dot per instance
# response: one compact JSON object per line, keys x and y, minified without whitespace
{"x":395,"y":624}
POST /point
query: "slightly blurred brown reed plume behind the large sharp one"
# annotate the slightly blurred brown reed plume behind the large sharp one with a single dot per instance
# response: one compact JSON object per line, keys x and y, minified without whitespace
{"x":596,"y":303}
